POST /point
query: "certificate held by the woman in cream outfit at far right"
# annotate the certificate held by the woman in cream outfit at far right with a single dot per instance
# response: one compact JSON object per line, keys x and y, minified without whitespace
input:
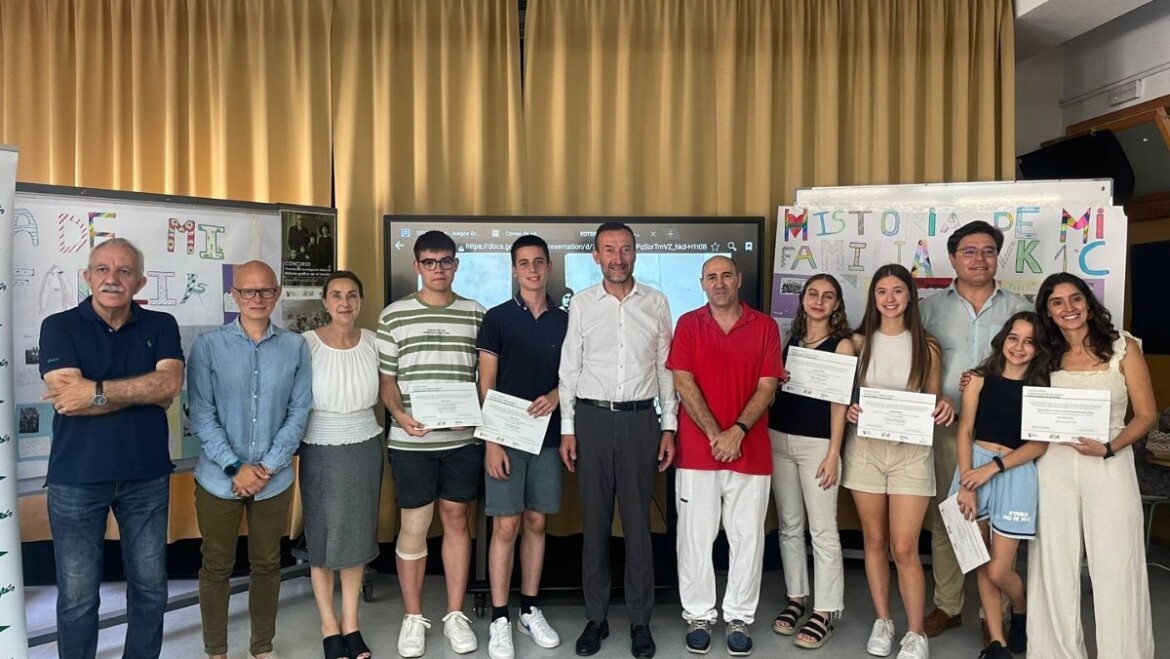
{"x":1064,"y":415}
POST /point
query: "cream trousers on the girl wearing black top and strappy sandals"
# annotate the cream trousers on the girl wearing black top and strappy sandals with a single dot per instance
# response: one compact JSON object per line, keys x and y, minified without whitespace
{"x":800,"y":497}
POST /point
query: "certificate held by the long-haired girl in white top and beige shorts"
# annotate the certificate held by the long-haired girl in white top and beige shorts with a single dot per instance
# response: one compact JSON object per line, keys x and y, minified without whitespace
{"x":897,"y":416}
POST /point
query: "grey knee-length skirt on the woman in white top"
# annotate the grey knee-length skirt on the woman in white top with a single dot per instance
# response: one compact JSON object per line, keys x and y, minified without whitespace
{"x":340,"y":490}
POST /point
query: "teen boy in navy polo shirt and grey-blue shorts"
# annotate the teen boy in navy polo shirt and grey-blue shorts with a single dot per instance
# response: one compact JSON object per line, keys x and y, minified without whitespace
{"x":520,"y":354}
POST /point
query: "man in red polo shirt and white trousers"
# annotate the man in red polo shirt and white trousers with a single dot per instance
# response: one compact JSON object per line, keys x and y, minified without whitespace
{"x":726,"y":359}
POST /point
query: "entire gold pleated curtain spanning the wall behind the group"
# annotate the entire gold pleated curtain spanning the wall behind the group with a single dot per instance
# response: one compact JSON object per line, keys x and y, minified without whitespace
{"x":630,"y":107}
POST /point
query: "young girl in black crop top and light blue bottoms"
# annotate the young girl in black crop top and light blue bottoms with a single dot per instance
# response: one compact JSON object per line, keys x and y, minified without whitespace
{"x":996,"y":477}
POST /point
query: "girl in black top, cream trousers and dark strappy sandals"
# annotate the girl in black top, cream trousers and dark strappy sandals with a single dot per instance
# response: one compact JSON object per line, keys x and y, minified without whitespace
{"x":807,"y":437}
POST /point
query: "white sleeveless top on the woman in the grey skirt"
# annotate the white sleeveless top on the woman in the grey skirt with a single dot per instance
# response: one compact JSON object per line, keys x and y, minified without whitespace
{"x":345,"y":392}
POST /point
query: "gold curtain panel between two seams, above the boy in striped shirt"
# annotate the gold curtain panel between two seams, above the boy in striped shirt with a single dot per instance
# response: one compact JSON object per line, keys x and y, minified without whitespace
{"x":426,"y":120}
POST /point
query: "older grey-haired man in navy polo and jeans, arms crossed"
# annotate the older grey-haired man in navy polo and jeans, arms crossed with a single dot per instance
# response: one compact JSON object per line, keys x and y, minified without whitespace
{"x":112,"y":370}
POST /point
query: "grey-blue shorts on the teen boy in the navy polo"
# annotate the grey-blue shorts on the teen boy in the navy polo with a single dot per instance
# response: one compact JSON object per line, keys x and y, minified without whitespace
{"x":534,"y":484}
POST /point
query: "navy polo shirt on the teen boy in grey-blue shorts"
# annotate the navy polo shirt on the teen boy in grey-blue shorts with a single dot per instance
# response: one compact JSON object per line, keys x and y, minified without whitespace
{"x":529,"y":352}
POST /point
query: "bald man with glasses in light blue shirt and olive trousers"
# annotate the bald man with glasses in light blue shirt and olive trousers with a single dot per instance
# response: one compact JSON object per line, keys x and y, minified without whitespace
{"x":251,"y":389}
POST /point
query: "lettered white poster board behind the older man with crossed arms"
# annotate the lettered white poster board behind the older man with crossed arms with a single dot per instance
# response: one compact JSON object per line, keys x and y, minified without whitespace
{"x":191,"y":248}
